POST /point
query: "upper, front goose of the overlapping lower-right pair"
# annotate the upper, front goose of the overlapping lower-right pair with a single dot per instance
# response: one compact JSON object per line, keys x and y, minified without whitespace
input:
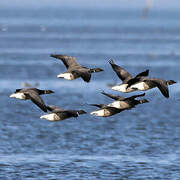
{"x":125,"y":103}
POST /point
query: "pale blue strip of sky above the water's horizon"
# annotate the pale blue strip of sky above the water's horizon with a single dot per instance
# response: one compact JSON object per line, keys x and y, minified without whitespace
{"x":160,"y":4}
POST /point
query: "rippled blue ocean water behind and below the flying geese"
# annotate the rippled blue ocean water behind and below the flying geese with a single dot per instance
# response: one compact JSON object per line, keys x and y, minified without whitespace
{"x":142,"y":143}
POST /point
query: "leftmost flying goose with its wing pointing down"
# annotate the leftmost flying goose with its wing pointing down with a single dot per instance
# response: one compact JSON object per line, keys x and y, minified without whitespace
{"x":33,"y":94}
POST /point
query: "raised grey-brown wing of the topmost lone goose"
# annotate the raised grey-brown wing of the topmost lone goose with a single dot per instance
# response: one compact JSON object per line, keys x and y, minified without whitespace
{"x":69,"y":61}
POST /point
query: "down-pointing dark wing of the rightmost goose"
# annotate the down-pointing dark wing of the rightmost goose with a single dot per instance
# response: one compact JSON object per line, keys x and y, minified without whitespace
{"x":159,"y":83}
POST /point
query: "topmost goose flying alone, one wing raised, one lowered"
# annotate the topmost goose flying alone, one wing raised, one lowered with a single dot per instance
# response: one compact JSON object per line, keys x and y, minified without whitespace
{"x":74,"y":70}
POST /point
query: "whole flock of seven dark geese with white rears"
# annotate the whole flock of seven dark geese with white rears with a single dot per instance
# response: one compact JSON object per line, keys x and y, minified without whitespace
{"x":141,"y":82}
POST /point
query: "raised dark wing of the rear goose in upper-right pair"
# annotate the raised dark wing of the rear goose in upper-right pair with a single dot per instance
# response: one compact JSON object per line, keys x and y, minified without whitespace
{"x":122,"y":74}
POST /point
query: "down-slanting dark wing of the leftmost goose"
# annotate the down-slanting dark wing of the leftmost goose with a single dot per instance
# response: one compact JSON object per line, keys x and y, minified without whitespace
{"x":36,"y":99}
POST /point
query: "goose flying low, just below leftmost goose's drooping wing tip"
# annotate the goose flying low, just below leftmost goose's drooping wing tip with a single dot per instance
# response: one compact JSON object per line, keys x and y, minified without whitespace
{"x":58,"y":114}
